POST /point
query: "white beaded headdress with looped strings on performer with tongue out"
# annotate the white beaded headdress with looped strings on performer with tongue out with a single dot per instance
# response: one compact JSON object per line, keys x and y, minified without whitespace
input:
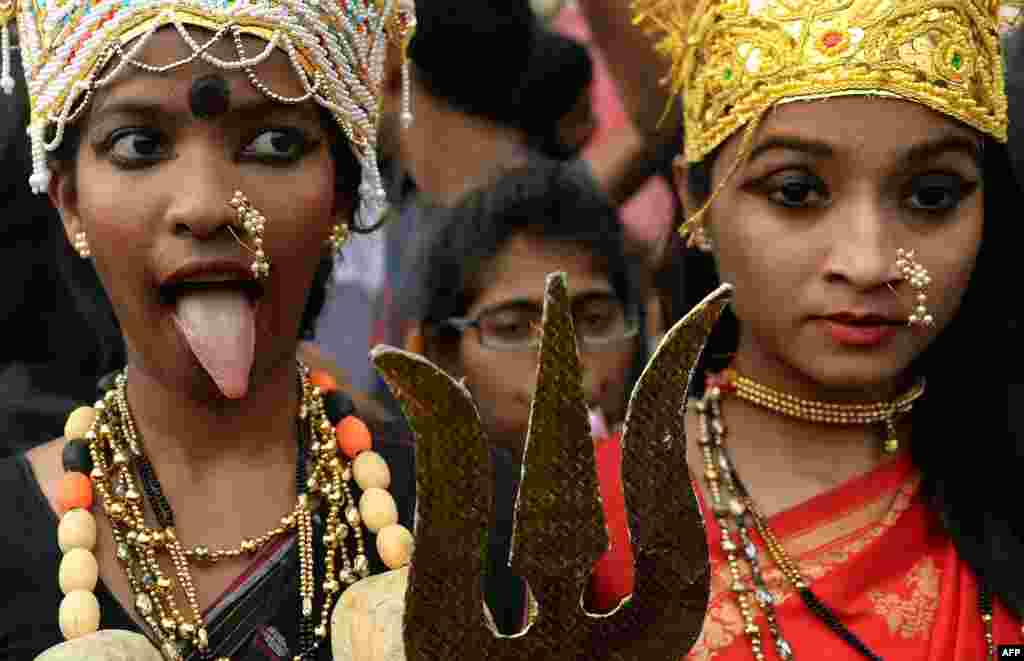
{"x":71,"y":49}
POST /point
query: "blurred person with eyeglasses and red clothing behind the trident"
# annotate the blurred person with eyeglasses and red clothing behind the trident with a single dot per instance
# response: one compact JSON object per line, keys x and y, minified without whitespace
{"x":479,"y":300}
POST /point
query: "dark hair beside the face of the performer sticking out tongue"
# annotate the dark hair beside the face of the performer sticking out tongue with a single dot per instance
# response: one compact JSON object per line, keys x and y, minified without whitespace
{"x":106,"y":350}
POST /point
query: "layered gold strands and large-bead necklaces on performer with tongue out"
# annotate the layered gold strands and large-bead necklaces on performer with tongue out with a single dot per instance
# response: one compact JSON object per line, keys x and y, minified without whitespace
{"x":105,"y":452}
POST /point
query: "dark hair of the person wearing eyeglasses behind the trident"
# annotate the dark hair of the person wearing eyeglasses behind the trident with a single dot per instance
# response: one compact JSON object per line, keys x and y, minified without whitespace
{"x":545,"y":200}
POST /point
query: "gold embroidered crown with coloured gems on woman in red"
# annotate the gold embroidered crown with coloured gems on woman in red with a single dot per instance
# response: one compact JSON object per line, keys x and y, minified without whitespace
{"x":734,"y":60}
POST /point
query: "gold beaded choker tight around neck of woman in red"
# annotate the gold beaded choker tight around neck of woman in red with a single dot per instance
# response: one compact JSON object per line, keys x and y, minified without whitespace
{"x":886,"y":413}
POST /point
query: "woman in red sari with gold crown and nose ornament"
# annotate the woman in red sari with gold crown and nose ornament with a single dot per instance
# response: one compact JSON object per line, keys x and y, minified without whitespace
{"x":854,"y":510}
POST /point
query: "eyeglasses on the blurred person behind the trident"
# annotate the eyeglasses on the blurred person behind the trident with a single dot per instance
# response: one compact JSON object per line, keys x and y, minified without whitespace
{"x":601,"y":321}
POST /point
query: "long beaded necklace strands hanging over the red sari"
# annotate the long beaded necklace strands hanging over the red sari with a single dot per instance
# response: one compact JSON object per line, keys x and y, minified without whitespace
{"x":732,"y":502}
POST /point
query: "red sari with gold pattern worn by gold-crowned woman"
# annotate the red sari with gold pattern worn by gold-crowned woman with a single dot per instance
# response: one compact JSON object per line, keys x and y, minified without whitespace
{"x":892,"y":577}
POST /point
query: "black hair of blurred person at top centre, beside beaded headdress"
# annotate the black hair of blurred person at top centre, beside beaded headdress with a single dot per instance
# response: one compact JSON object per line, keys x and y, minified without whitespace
{"x":474,"y":55}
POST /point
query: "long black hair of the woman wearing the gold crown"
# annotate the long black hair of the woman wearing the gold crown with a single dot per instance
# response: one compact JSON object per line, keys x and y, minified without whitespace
{"x":963,"y":473}
